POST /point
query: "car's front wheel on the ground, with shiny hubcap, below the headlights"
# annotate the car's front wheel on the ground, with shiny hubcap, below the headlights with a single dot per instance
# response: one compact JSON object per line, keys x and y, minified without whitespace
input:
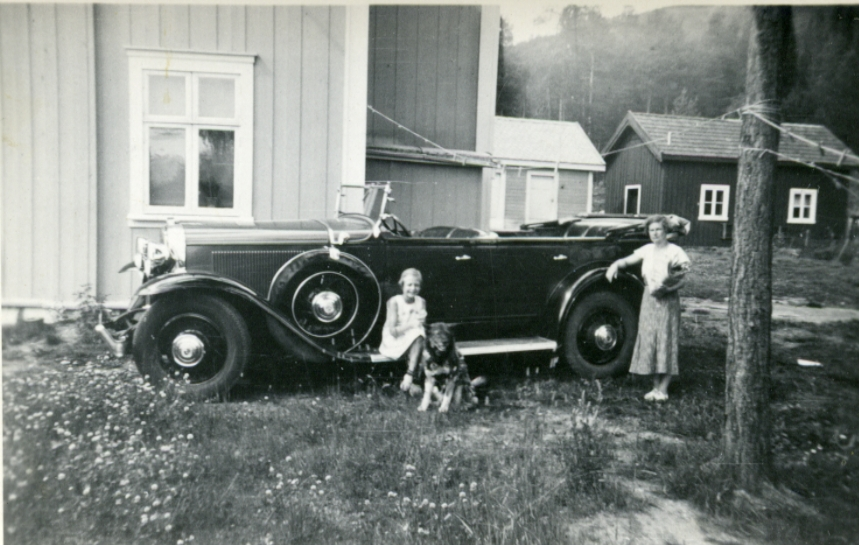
{"x":201,"y":344}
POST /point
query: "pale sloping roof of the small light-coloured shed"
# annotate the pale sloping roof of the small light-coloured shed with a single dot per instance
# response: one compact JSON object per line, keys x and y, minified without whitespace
{"x":520,"y":141}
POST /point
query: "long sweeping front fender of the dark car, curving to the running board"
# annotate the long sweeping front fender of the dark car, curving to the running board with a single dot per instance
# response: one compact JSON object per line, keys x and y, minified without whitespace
{"x":288,"y":335}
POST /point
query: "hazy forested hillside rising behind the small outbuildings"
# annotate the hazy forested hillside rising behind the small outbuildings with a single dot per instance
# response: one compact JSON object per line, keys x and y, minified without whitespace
{"x":685,"y":60}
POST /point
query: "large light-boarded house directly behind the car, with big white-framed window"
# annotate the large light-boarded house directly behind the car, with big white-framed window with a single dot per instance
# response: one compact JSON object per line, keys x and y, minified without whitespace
{"x":116,"y":117}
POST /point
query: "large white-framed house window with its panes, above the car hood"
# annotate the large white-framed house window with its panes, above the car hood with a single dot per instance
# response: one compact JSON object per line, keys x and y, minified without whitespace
{"x":191,"y":117}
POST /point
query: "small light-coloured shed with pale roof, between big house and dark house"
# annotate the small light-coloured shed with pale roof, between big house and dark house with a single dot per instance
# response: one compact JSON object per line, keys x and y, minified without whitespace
{"x":547,"y":171}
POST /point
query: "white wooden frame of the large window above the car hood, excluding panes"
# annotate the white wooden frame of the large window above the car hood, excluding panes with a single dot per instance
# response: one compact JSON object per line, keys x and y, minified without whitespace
{"x":240,"y":68}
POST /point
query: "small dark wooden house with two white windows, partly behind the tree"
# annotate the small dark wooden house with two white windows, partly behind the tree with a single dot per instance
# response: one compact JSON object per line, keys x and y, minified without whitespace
{"x":688,"y":166}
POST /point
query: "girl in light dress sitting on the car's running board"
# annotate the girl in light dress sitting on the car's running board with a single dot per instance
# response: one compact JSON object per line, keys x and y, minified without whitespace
{"x":404,"y":324}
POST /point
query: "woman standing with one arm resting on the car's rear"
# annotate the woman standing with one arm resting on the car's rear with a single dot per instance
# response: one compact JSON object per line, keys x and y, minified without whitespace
{"x":663,"y":267}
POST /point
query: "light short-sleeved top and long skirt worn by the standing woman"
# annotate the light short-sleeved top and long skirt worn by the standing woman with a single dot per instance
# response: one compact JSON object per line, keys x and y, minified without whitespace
{"x":659,"y":321}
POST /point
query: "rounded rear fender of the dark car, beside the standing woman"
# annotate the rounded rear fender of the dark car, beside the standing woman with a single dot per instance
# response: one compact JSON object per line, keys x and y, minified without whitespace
{"x":578,"y":284}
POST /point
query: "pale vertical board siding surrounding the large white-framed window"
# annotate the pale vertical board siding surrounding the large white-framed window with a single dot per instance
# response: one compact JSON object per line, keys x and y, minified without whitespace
{"x":298,"y":109}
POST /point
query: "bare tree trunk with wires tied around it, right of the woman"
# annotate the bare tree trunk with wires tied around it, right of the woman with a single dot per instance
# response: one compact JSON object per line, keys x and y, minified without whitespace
{"x":746,"y":439}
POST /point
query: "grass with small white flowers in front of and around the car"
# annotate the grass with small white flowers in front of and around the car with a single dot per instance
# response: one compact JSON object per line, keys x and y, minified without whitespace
{"x":92,"y":454}
